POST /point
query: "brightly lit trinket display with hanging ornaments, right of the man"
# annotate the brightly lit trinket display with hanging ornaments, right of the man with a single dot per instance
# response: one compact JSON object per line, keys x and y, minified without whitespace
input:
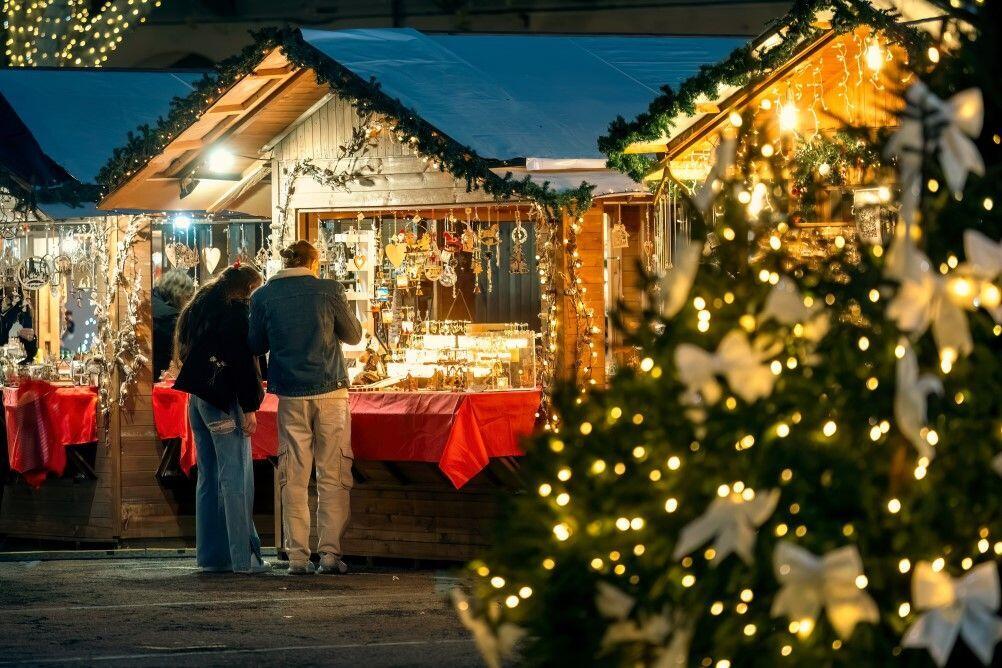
{"x":422,"y":270}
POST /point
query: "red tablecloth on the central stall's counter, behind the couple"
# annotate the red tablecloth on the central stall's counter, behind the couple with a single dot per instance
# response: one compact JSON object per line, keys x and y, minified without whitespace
{"x":460,"y":432}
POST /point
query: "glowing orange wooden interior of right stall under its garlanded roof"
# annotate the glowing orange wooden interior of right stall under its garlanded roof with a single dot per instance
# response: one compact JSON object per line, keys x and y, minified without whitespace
{"x":797,"y":111}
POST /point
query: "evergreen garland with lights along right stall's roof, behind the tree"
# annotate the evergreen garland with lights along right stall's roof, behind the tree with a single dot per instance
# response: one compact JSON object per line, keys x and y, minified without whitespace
{"x":744,"y":67}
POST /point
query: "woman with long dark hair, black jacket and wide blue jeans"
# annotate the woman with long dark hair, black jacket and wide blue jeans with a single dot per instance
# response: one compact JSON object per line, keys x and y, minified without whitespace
{"x":224,"y":380}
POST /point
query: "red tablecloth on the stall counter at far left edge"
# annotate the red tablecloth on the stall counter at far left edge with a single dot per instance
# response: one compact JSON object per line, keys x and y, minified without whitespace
{"x":43,"y":420}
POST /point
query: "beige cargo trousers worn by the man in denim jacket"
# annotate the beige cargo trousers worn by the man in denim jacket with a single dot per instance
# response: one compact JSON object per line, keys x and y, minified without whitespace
{"x":315,"y":431}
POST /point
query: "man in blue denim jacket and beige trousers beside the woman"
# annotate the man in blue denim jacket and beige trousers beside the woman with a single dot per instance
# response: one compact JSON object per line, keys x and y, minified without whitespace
{"x":302,"y":321}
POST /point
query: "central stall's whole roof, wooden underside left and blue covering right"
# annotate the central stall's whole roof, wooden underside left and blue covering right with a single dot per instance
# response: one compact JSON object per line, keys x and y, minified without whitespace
{"x":490,"y":108}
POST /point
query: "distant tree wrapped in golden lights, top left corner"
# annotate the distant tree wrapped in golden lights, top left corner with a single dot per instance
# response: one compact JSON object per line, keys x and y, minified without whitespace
{"x":67,"y":34}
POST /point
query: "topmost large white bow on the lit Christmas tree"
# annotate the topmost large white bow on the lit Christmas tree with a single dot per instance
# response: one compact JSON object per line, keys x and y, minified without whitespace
{"x":938,"y":128}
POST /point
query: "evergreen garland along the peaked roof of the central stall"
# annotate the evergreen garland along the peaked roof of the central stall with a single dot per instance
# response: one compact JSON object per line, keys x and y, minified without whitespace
{"x":366,"y":96}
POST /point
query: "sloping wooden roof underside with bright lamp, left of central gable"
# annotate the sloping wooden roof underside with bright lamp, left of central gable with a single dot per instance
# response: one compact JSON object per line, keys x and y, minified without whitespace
{"x":246,"y":119}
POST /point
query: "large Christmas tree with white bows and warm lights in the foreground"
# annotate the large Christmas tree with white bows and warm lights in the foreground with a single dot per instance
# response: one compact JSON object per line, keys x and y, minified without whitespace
{"x":805,"y":469}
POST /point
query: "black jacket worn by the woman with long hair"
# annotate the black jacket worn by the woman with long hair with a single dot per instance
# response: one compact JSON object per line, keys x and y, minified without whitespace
{"x":220,"y":368}
